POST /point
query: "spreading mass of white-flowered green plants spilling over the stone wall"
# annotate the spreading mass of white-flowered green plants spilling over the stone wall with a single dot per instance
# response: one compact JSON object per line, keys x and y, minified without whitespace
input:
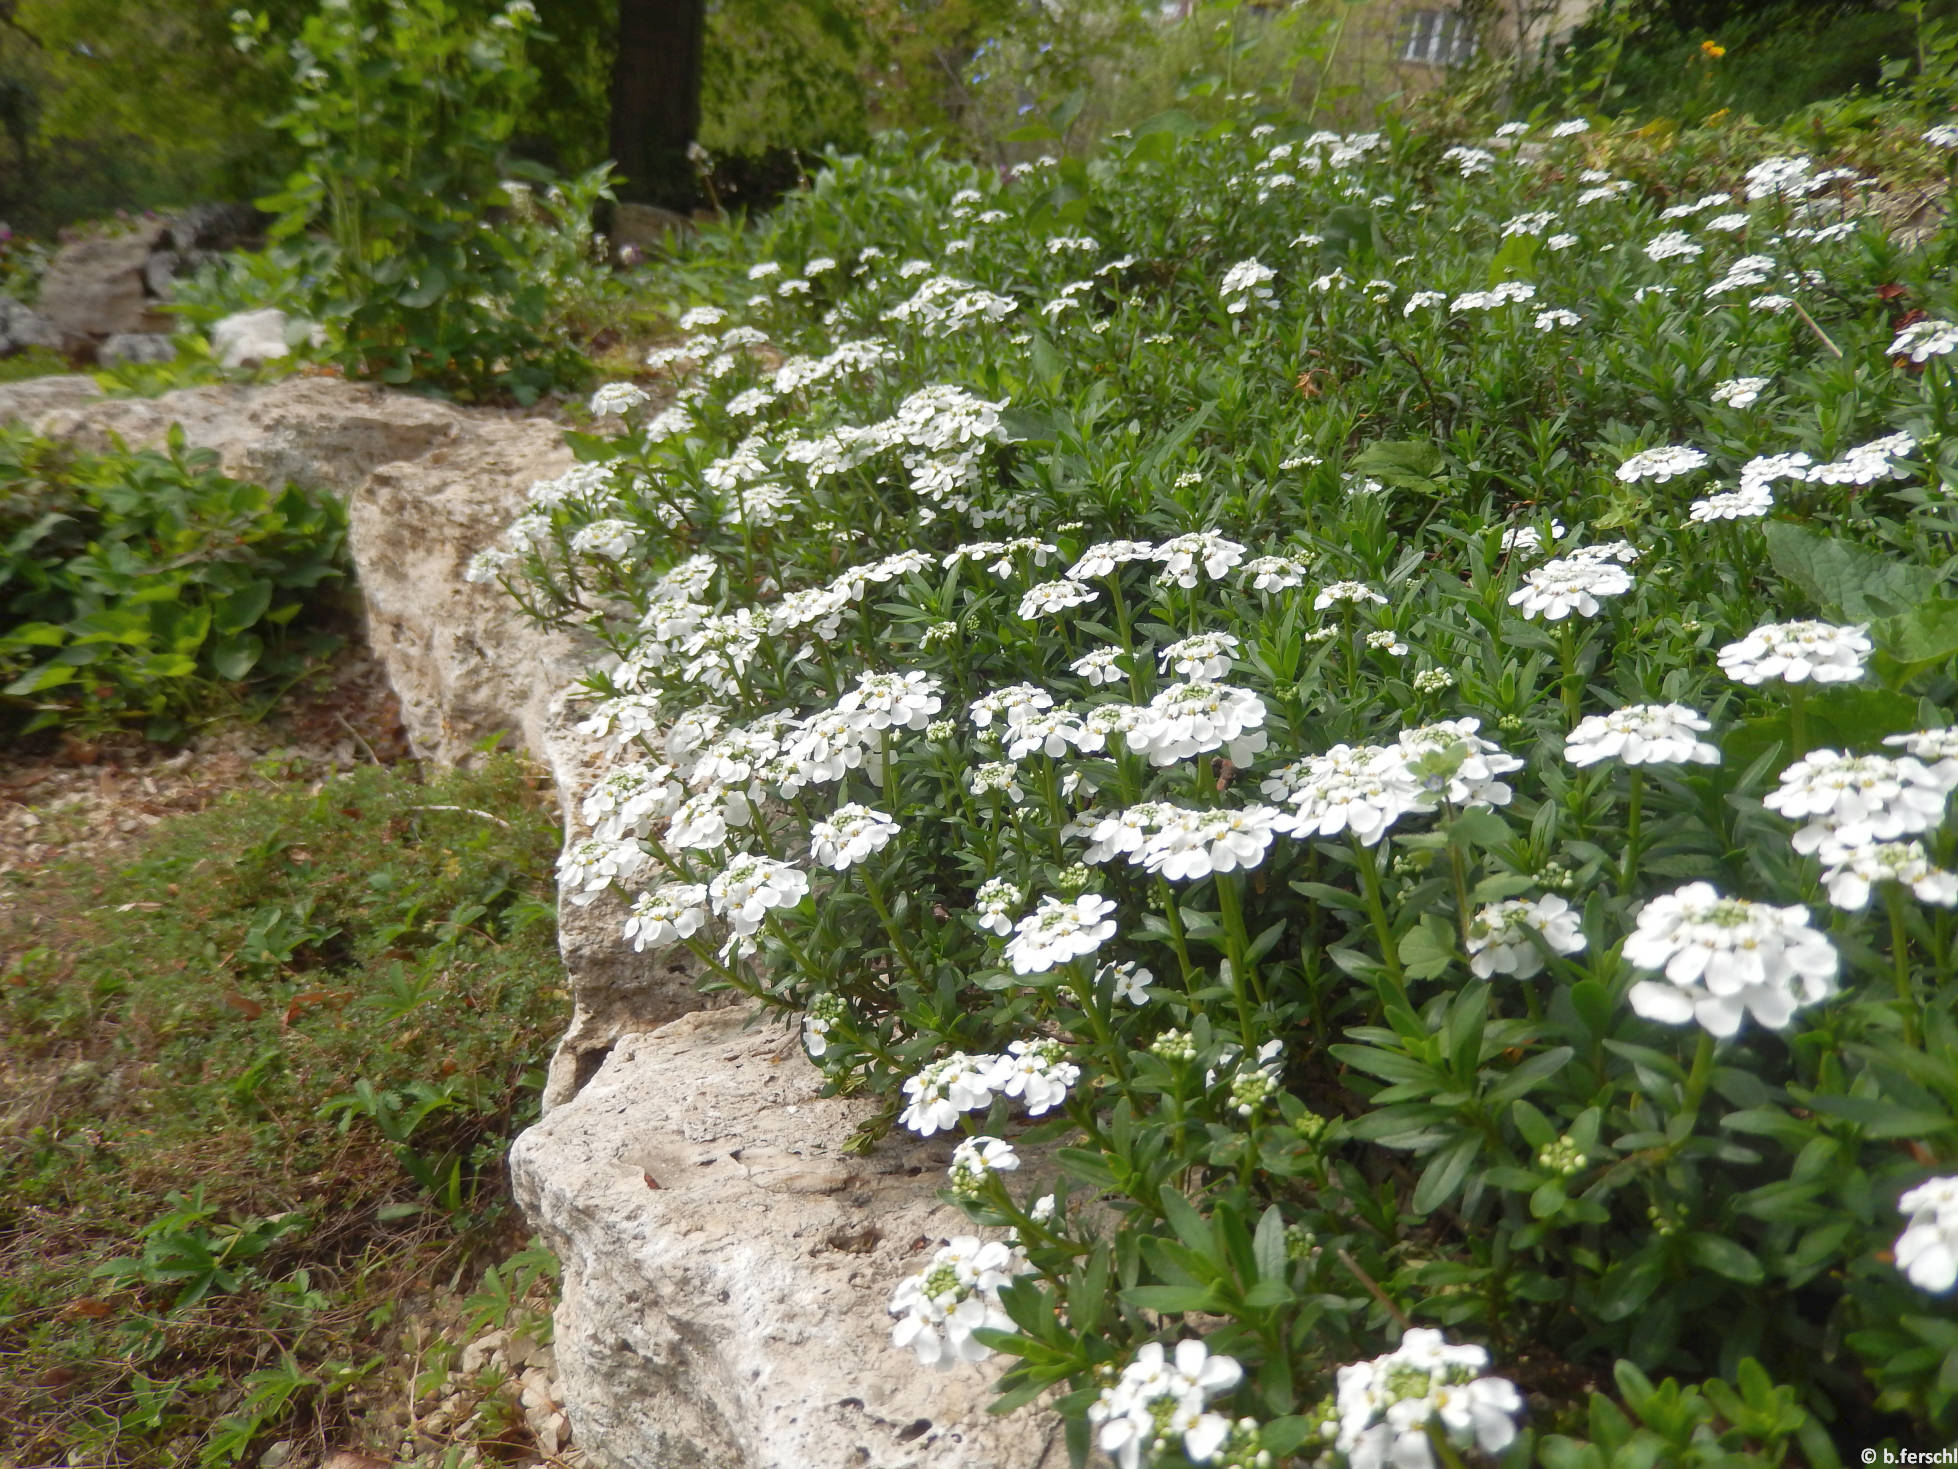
{"x":1374,"y":710}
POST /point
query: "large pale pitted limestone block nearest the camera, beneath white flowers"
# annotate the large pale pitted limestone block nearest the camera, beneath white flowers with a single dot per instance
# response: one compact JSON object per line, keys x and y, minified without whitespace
{"x":727,"y":1268}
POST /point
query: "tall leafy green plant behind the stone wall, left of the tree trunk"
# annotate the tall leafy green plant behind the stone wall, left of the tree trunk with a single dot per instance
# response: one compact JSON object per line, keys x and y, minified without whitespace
{"x":443,"y":269}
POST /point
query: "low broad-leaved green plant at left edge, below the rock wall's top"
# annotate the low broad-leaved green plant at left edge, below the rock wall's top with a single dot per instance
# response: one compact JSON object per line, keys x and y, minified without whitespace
{"x":150,"y":587}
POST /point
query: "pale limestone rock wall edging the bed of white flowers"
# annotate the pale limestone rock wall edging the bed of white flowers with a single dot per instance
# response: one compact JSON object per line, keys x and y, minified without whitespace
{"x":725,"y":1258}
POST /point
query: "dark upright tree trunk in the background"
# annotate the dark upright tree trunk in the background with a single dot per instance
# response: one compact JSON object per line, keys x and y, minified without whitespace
{"x":657,"y":99}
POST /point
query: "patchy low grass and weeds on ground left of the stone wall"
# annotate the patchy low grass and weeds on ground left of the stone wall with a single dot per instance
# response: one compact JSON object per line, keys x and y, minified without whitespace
{"x":257,"y":1092}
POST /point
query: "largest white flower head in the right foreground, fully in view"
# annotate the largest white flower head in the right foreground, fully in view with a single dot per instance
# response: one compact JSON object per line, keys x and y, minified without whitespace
{"x":1726,"y":959}
